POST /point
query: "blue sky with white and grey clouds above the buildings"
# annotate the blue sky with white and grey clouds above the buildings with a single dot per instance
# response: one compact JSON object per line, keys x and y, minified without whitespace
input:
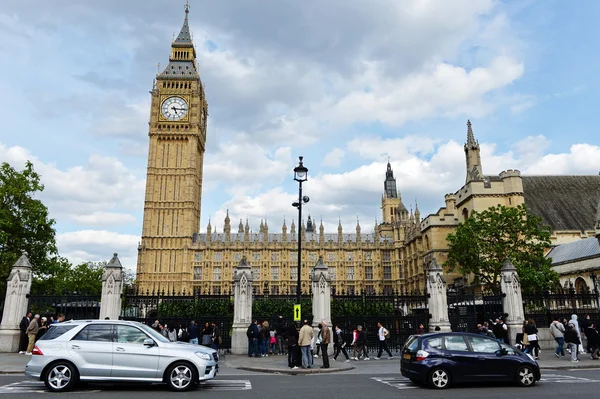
{"x":346,"y":84}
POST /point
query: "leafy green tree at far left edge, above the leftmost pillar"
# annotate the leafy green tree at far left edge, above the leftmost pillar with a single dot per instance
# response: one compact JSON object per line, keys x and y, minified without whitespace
{"x":24,"y":221}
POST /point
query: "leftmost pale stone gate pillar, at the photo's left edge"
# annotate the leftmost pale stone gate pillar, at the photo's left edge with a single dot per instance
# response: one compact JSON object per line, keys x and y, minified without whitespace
{"x":15,"y":304}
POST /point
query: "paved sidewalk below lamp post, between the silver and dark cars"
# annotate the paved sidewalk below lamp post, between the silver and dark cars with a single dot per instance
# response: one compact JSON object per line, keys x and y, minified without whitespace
{"x":278,"y":364}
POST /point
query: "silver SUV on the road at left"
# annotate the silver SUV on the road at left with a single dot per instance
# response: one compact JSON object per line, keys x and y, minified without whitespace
{"x":117,"y":351}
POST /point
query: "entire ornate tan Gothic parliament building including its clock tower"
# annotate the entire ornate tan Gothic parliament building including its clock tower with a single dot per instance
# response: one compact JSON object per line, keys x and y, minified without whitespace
{"x":174,"y":256}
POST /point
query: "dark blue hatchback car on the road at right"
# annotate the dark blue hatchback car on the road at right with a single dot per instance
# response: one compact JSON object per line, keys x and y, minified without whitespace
{"x":440,"y":359}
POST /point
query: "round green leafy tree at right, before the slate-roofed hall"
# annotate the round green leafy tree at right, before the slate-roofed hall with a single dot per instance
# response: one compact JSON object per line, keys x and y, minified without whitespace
{"x":485,"y":240}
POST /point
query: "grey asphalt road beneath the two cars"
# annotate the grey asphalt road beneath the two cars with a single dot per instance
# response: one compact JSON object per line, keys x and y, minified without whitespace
{"x":560,"y":383}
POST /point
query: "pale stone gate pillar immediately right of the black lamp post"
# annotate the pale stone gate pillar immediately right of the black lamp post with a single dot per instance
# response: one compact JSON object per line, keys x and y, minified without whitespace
{"x":321,"y":287}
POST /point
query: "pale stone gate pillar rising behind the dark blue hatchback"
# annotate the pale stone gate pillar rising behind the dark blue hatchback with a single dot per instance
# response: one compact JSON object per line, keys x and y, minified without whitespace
{"x":437,"y":300}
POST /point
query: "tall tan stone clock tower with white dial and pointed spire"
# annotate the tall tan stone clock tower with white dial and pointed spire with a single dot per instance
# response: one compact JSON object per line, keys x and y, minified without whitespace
{"x":174,"y":178}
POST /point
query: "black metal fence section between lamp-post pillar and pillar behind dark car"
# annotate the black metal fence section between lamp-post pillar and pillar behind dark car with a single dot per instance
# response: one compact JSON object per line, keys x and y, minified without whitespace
{"x":400,"y":314}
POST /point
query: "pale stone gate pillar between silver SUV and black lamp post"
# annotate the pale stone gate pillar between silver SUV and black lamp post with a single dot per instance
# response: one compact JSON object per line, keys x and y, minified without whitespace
{"x":242,"y":308}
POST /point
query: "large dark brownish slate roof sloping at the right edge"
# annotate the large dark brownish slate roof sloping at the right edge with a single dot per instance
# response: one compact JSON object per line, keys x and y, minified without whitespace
{"x":563,"y":202}
